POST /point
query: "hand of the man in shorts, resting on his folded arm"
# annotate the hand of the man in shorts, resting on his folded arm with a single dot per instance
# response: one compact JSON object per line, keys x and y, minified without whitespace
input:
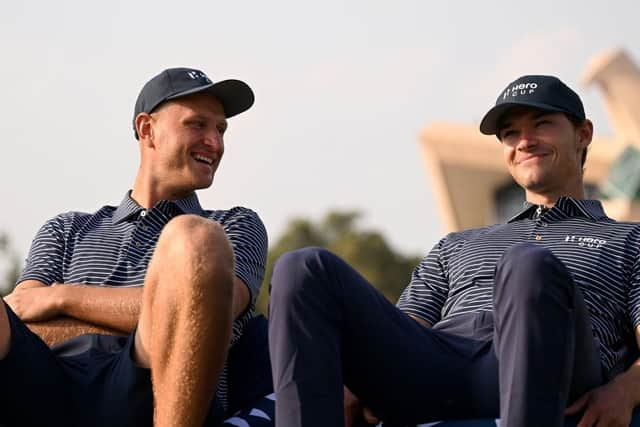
{"x":33,"y":302}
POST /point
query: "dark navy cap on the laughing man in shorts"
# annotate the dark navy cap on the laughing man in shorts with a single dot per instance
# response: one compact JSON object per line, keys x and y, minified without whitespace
{"x":234,"y":95}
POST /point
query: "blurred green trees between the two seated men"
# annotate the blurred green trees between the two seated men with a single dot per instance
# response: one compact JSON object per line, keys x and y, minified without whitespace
{"x":366,"y":250}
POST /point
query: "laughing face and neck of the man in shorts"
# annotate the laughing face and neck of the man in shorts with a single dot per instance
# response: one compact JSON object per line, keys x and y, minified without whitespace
{"x":184,"y":144}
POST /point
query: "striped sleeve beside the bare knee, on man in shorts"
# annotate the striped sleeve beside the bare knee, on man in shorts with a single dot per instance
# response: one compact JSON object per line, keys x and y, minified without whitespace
{"x":248,"y":237}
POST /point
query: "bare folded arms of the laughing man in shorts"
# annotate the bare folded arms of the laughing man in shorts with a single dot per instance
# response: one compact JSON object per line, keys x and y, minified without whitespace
{"x":62,"y":311}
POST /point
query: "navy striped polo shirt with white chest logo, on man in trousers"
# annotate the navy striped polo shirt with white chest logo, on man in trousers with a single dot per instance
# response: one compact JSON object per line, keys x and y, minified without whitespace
{"x":603,"y":256}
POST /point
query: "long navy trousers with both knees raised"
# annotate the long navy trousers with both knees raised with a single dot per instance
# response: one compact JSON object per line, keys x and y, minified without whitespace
{"x":523,"y":362}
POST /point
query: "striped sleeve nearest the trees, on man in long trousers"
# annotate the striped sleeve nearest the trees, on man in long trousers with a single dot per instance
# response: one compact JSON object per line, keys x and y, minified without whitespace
{"x":425,"y":295}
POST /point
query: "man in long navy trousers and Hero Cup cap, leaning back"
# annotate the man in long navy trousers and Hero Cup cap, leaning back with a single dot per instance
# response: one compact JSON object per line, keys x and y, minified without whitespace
{"x":526,"y":321}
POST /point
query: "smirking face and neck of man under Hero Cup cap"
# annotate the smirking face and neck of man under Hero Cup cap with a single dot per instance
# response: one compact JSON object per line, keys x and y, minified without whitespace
{"x":543,"y":152}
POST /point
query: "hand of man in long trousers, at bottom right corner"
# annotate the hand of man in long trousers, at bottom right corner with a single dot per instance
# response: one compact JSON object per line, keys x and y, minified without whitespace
{"x":608,"y":405}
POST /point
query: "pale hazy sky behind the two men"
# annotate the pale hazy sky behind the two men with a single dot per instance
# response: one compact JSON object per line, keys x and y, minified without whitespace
{"x":343,"y":89}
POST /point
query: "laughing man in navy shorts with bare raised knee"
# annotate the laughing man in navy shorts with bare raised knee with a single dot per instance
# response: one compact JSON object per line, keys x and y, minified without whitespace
{"x":134,"y":355}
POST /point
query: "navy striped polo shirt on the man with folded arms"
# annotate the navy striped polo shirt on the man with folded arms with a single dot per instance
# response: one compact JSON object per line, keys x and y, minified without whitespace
{"x":113,"y":246}
